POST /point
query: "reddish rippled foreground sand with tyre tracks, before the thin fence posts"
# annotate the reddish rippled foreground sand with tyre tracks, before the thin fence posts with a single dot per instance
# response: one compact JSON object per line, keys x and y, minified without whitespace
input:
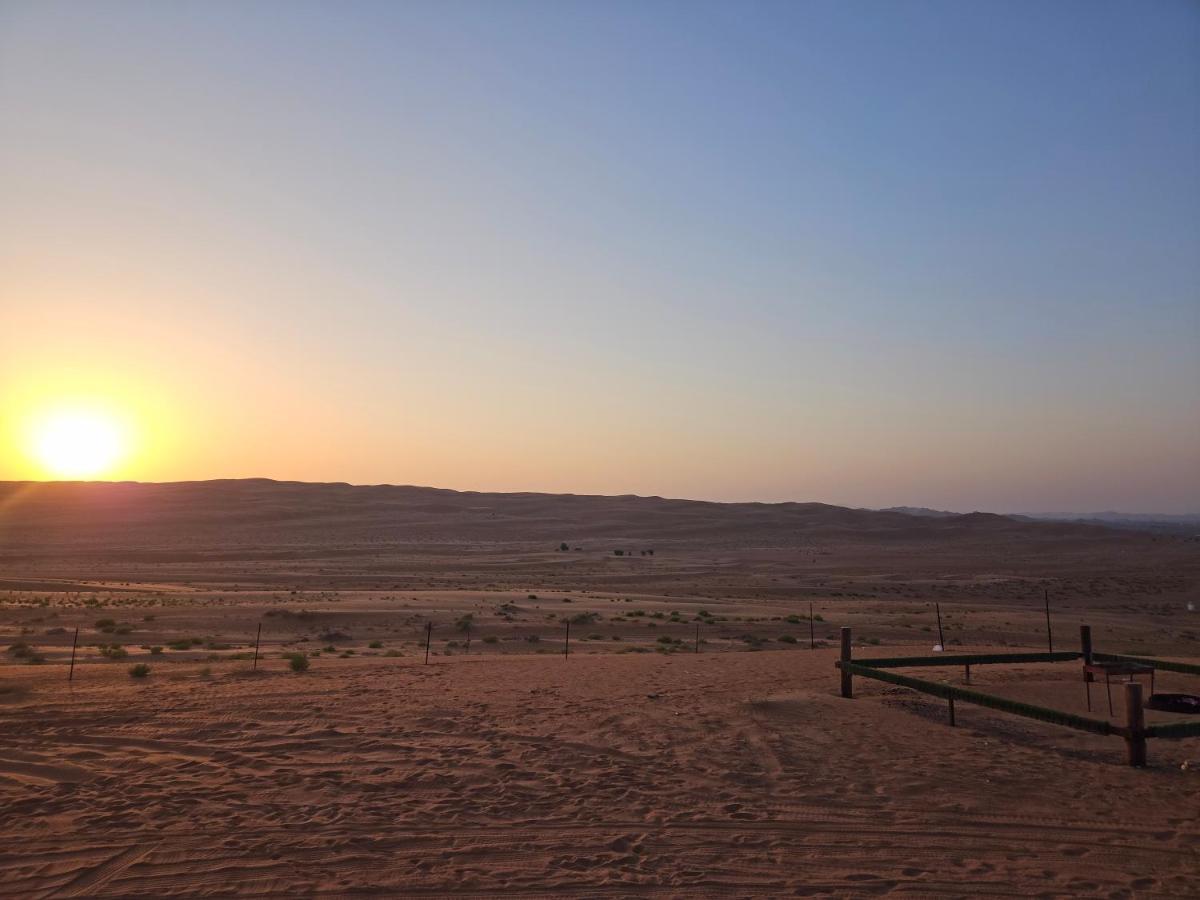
{"x":607,"y":773}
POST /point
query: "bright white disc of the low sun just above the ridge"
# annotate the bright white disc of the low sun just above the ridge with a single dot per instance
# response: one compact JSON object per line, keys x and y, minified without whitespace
{"x":79,"y":443}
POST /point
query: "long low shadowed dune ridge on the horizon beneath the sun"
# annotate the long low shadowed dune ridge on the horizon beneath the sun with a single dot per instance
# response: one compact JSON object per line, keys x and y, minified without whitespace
{"x":263,"y":512}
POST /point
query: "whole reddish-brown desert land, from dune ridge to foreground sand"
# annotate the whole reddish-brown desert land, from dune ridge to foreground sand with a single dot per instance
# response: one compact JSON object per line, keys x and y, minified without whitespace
{"x":537,"y":695}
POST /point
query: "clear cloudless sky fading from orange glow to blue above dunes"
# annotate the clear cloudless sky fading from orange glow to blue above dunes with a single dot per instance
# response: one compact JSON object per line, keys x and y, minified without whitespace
{"x":868,"y":254}
